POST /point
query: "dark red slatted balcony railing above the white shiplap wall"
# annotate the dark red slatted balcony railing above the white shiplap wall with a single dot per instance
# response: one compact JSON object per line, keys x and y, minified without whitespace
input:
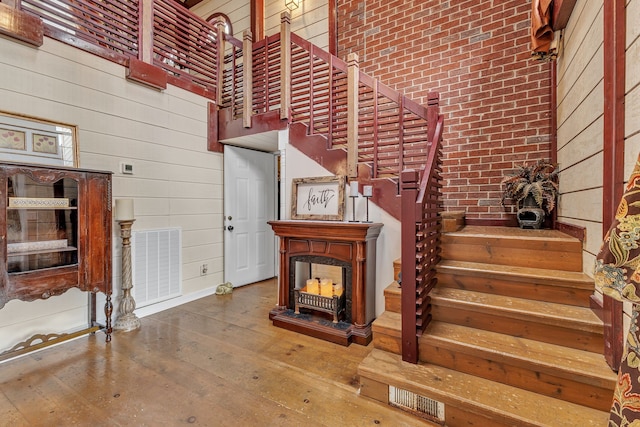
{"x":158,"y":32}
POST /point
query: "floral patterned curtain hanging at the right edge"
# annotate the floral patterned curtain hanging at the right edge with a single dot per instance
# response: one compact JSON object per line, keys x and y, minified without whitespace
{"x":617,"y":274}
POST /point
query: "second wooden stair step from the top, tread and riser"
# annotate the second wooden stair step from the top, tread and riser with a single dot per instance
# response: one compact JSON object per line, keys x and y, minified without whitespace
{"x":566,"y":287}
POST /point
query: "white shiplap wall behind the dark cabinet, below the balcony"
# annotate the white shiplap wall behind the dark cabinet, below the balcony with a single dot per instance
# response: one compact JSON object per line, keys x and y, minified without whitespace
{"x":176,"y":181}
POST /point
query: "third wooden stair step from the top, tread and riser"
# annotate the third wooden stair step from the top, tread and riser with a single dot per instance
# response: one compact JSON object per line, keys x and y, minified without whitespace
{"x":571,"y":326}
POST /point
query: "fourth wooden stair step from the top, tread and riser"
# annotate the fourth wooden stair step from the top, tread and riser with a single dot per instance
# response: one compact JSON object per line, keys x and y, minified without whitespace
{"x":577,"y":376}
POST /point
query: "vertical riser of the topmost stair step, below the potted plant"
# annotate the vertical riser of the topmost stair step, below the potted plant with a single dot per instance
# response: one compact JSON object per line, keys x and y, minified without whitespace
{"x":521,"y":253}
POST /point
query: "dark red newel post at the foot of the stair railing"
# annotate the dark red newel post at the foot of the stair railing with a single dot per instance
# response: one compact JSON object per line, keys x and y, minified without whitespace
{"x":410,"y":180}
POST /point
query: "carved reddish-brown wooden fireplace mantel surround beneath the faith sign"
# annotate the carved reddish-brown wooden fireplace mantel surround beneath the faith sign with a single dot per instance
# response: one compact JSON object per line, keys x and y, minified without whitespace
{"x":347,"y":242}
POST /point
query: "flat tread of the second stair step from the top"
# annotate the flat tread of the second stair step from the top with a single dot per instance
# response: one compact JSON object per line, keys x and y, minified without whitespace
{"x":529,"y":274}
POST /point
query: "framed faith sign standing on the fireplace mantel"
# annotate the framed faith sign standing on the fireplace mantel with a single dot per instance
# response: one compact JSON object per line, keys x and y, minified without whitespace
{"x":319,"y":198}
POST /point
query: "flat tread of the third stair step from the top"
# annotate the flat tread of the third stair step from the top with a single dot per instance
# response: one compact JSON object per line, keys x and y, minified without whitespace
{"x":544,"y":312}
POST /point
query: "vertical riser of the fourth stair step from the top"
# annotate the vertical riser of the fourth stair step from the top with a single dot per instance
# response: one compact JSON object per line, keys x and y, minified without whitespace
{"x":575,"y":391}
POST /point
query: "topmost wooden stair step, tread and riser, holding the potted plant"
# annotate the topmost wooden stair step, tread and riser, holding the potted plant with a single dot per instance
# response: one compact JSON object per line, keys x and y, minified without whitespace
{"x":548,"y":249}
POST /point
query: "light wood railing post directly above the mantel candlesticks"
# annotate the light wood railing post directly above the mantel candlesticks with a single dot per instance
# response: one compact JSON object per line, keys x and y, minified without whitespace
{"x":353,"y":74}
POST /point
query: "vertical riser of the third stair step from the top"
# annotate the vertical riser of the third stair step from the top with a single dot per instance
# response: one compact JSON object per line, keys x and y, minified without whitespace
{"x":495,"y":322}
